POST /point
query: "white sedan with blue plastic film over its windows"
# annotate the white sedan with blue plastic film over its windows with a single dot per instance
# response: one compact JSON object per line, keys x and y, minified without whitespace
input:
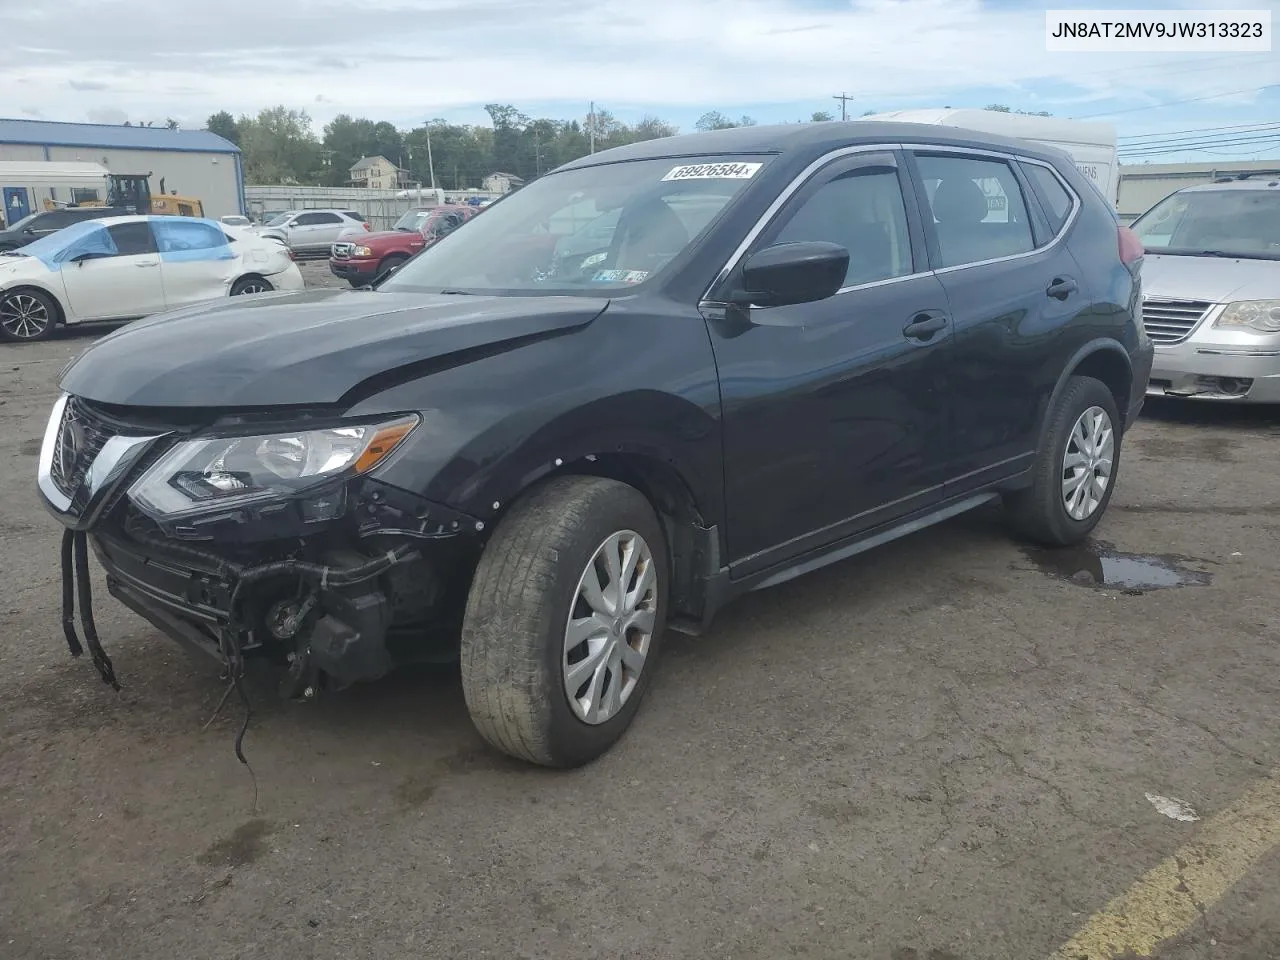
{"x":122,"y":268}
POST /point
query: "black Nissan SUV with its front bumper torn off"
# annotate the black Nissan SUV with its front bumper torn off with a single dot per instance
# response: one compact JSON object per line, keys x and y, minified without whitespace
{"x":797,"y":344}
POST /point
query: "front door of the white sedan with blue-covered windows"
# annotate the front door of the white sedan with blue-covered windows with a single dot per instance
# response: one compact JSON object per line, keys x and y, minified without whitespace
{"x":113,"y":273}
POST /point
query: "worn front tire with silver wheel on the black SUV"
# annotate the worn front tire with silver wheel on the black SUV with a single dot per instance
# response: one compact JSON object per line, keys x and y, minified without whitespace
{"x":515,"y":633}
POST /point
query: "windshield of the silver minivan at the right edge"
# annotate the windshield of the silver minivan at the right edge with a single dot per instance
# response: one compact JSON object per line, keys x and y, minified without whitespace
{"x":1244,"y":223}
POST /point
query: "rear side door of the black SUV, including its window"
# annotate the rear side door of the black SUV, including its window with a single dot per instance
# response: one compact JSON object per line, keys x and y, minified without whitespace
{"x":1013,"y":287}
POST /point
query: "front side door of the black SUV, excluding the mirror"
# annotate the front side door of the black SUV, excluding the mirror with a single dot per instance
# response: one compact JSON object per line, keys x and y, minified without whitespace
{"x":838,"y":413}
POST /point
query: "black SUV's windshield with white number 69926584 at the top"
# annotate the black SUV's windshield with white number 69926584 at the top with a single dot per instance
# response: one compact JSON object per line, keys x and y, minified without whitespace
{"x":592,"y":231}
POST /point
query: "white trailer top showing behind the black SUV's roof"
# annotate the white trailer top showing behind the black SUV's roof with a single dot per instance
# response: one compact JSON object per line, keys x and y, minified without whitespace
{"x":1091,"y":145}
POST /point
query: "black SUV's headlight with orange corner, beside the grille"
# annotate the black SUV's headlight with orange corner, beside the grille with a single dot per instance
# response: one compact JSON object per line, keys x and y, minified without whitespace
{"x":235,"y":472}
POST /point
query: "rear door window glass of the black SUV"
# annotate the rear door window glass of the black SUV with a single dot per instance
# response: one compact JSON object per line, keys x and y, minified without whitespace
{"x":979,"y":209}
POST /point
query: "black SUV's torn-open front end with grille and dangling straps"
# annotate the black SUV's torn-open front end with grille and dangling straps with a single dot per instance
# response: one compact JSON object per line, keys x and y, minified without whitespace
{"x":332,"y":604}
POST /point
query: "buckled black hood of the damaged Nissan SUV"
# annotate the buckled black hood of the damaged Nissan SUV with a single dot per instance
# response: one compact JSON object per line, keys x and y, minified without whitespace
{"x":305,"y":349}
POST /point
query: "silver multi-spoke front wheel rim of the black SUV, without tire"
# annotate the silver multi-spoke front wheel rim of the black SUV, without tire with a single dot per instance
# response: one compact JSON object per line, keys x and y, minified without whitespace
{"x":610,"y":628}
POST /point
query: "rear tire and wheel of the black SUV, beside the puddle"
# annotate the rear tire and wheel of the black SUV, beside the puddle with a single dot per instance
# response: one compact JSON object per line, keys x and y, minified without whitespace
{"x":1041,"y":513}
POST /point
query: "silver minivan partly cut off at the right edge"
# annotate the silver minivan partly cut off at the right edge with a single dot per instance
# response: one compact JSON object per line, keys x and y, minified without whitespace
{"x":1212,"y":291}
